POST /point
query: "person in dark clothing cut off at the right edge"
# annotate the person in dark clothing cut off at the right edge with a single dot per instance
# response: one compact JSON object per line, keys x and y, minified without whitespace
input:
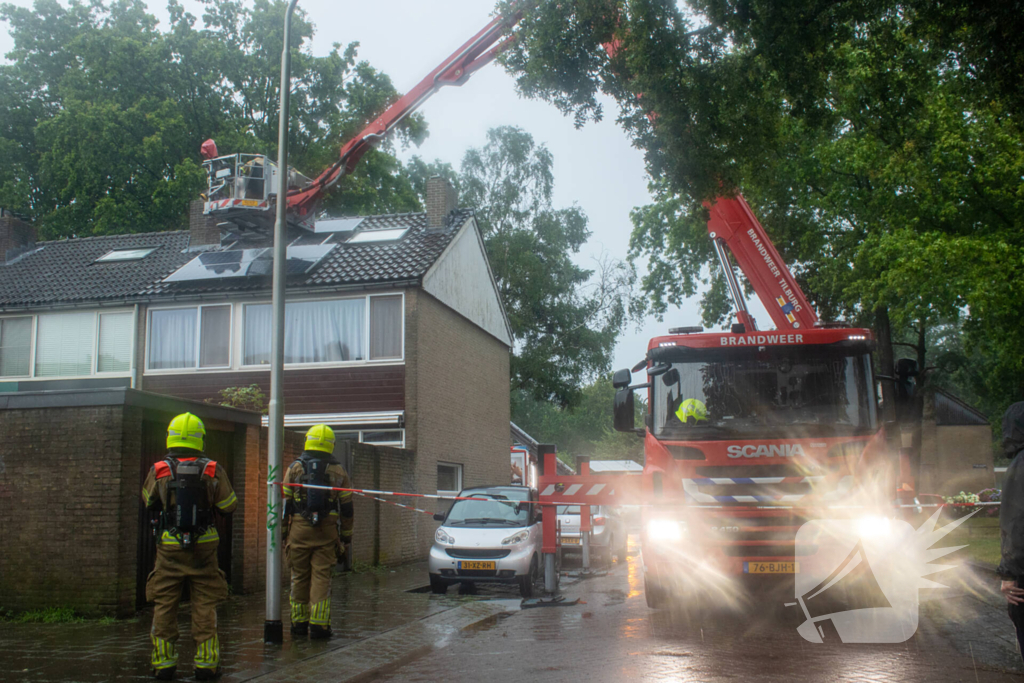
{"x":1012,"y":521}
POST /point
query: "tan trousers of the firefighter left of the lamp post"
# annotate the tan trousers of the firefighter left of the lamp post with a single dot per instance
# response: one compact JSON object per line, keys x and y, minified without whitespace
{"x":198,"y":567}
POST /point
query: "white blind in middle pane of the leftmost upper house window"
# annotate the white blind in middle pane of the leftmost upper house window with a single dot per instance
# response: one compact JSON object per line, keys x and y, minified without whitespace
{"x":64,"y":346}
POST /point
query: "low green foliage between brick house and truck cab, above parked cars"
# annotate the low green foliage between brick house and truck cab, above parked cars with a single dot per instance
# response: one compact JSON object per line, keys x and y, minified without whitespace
{"x":583,"y":431}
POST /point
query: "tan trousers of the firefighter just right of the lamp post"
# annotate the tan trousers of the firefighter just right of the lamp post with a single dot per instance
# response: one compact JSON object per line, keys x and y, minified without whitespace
{"x":313,"y":565}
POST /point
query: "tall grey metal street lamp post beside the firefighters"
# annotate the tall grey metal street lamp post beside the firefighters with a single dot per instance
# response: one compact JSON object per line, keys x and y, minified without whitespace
{"x":274,"y":631}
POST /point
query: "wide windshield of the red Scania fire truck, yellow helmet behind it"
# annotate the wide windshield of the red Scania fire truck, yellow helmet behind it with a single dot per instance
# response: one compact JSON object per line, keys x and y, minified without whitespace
{"x":764,"y":394}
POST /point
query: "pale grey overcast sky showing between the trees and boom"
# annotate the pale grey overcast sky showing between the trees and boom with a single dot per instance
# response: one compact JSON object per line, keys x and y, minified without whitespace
{"x":596,"y":167}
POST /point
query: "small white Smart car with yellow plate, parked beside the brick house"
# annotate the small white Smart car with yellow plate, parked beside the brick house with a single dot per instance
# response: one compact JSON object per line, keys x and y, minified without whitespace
{"x":497,"y":540}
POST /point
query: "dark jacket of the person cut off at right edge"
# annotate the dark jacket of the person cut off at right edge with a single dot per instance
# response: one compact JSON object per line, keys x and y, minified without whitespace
{"x":1012,"y":501}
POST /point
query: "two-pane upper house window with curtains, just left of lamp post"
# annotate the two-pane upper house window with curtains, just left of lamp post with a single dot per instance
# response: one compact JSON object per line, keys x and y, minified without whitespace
{"x":181,"y":336}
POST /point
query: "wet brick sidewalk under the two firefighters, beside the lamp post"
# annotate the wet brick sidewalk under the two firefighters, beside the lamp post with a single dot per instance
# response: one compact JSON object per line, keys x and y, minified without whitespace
{"x":377,"y":624}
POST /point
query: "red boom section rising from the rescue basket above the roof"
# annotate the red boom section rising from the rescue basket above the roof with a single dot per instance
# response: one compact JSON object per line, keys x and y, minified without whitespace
{"x":476,"y":54}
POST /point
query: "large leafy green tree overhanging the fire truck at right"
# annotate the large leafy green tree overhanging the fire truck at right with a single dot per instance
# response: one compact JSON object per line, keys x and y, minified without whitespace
{"x":882,"y":157}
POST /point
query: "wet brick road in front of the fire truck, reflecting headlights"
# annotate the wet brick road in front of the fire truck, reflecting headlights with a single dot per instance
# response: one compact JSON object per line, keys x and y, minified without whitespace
{"x":613,"y":636}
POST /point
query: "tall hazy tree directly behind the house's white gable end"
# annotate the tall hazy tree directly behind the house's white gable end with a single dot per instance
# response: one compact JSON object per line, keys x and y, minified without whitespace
{"x":565,"y":319}
